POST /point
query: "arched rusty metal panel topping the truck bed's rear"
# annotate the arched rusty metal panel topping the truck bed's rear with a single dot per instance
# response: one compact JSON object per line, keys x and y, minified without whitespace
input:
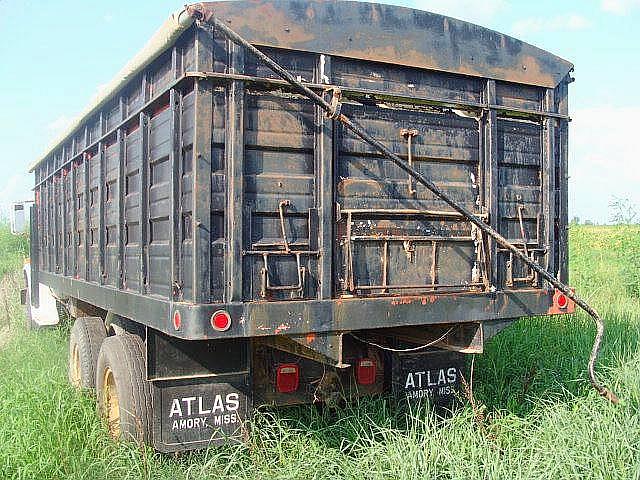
{"x":389,"y":34}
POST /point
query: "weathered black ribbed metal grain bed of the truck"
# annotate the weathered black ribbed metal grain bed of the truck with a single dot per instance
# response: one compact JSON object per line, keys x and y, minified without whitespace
{"x":201,"y":182}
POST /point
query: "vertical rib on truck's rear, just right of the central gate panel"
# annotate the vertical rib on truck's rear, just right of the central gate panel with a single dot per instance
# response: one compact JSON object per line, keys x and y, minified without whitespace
{"x":491,"y":176}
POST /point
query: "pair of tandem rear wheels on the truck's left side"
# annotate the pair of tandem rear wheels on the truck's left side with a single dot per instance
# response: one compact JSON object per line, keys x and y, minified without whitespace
{"x":114,"y":368}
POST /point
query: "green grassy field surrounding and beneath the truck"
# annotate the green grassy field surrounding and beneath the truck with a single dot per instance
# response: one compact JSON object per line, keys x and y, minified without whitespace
{"x":535,"y":415}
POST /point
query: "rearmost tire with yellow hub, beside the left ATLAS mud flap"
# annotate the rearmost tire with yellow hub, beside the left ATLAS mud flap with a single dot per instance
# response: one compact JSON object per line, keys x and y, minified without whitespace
{"x":124,"y":393}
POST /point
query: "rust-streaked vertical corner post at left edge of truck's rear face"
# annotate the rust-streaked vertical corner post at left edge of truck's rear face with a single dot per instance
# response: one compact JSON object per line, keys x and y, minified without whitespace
{"x":202,"y":170}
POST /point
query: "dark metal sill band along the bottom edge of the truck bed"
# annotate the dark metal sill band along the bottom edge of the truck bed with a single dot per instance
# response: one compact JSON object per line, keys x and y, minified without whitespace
{"x":253,"y":319}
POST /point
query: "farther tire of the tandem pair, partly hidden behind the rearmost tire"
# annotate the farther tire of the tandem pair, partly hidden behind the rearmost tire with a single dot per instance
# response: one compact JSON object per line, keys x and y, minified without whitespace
{"x":87,"y":335}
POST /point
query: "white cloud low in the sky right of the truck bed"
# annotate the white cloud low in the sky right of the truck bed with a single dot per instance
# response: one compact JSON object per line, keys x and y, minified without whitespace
{"x":603,"y":160}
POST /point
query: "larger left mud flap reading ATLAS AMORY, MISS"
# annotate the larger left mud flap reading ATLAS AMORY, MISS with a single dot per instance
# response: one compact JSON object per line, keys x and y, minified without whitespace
{"x":191,"y":414}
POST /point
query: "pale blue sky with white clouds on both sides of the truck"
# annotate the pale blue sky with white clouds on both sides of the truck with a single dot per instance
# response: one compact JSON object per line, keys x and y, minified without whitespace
{"x":55,"y":56}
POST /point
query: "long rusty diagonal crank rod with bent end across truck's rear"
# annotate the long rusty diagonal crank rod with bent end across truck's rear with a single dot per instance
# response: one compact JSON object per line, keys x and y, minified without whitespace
{"x":333,"y":111}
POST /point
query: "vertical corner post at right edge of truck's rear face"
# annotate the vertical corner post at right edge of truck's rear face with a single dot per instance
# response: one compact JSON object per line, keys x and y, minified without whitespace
{"x":548,"y":181}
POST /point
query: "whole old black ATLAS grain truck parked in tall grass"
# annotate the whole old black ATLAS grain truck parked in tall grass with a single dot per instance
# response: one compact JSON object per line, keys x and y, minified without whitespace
{"x":294,"y":202}
